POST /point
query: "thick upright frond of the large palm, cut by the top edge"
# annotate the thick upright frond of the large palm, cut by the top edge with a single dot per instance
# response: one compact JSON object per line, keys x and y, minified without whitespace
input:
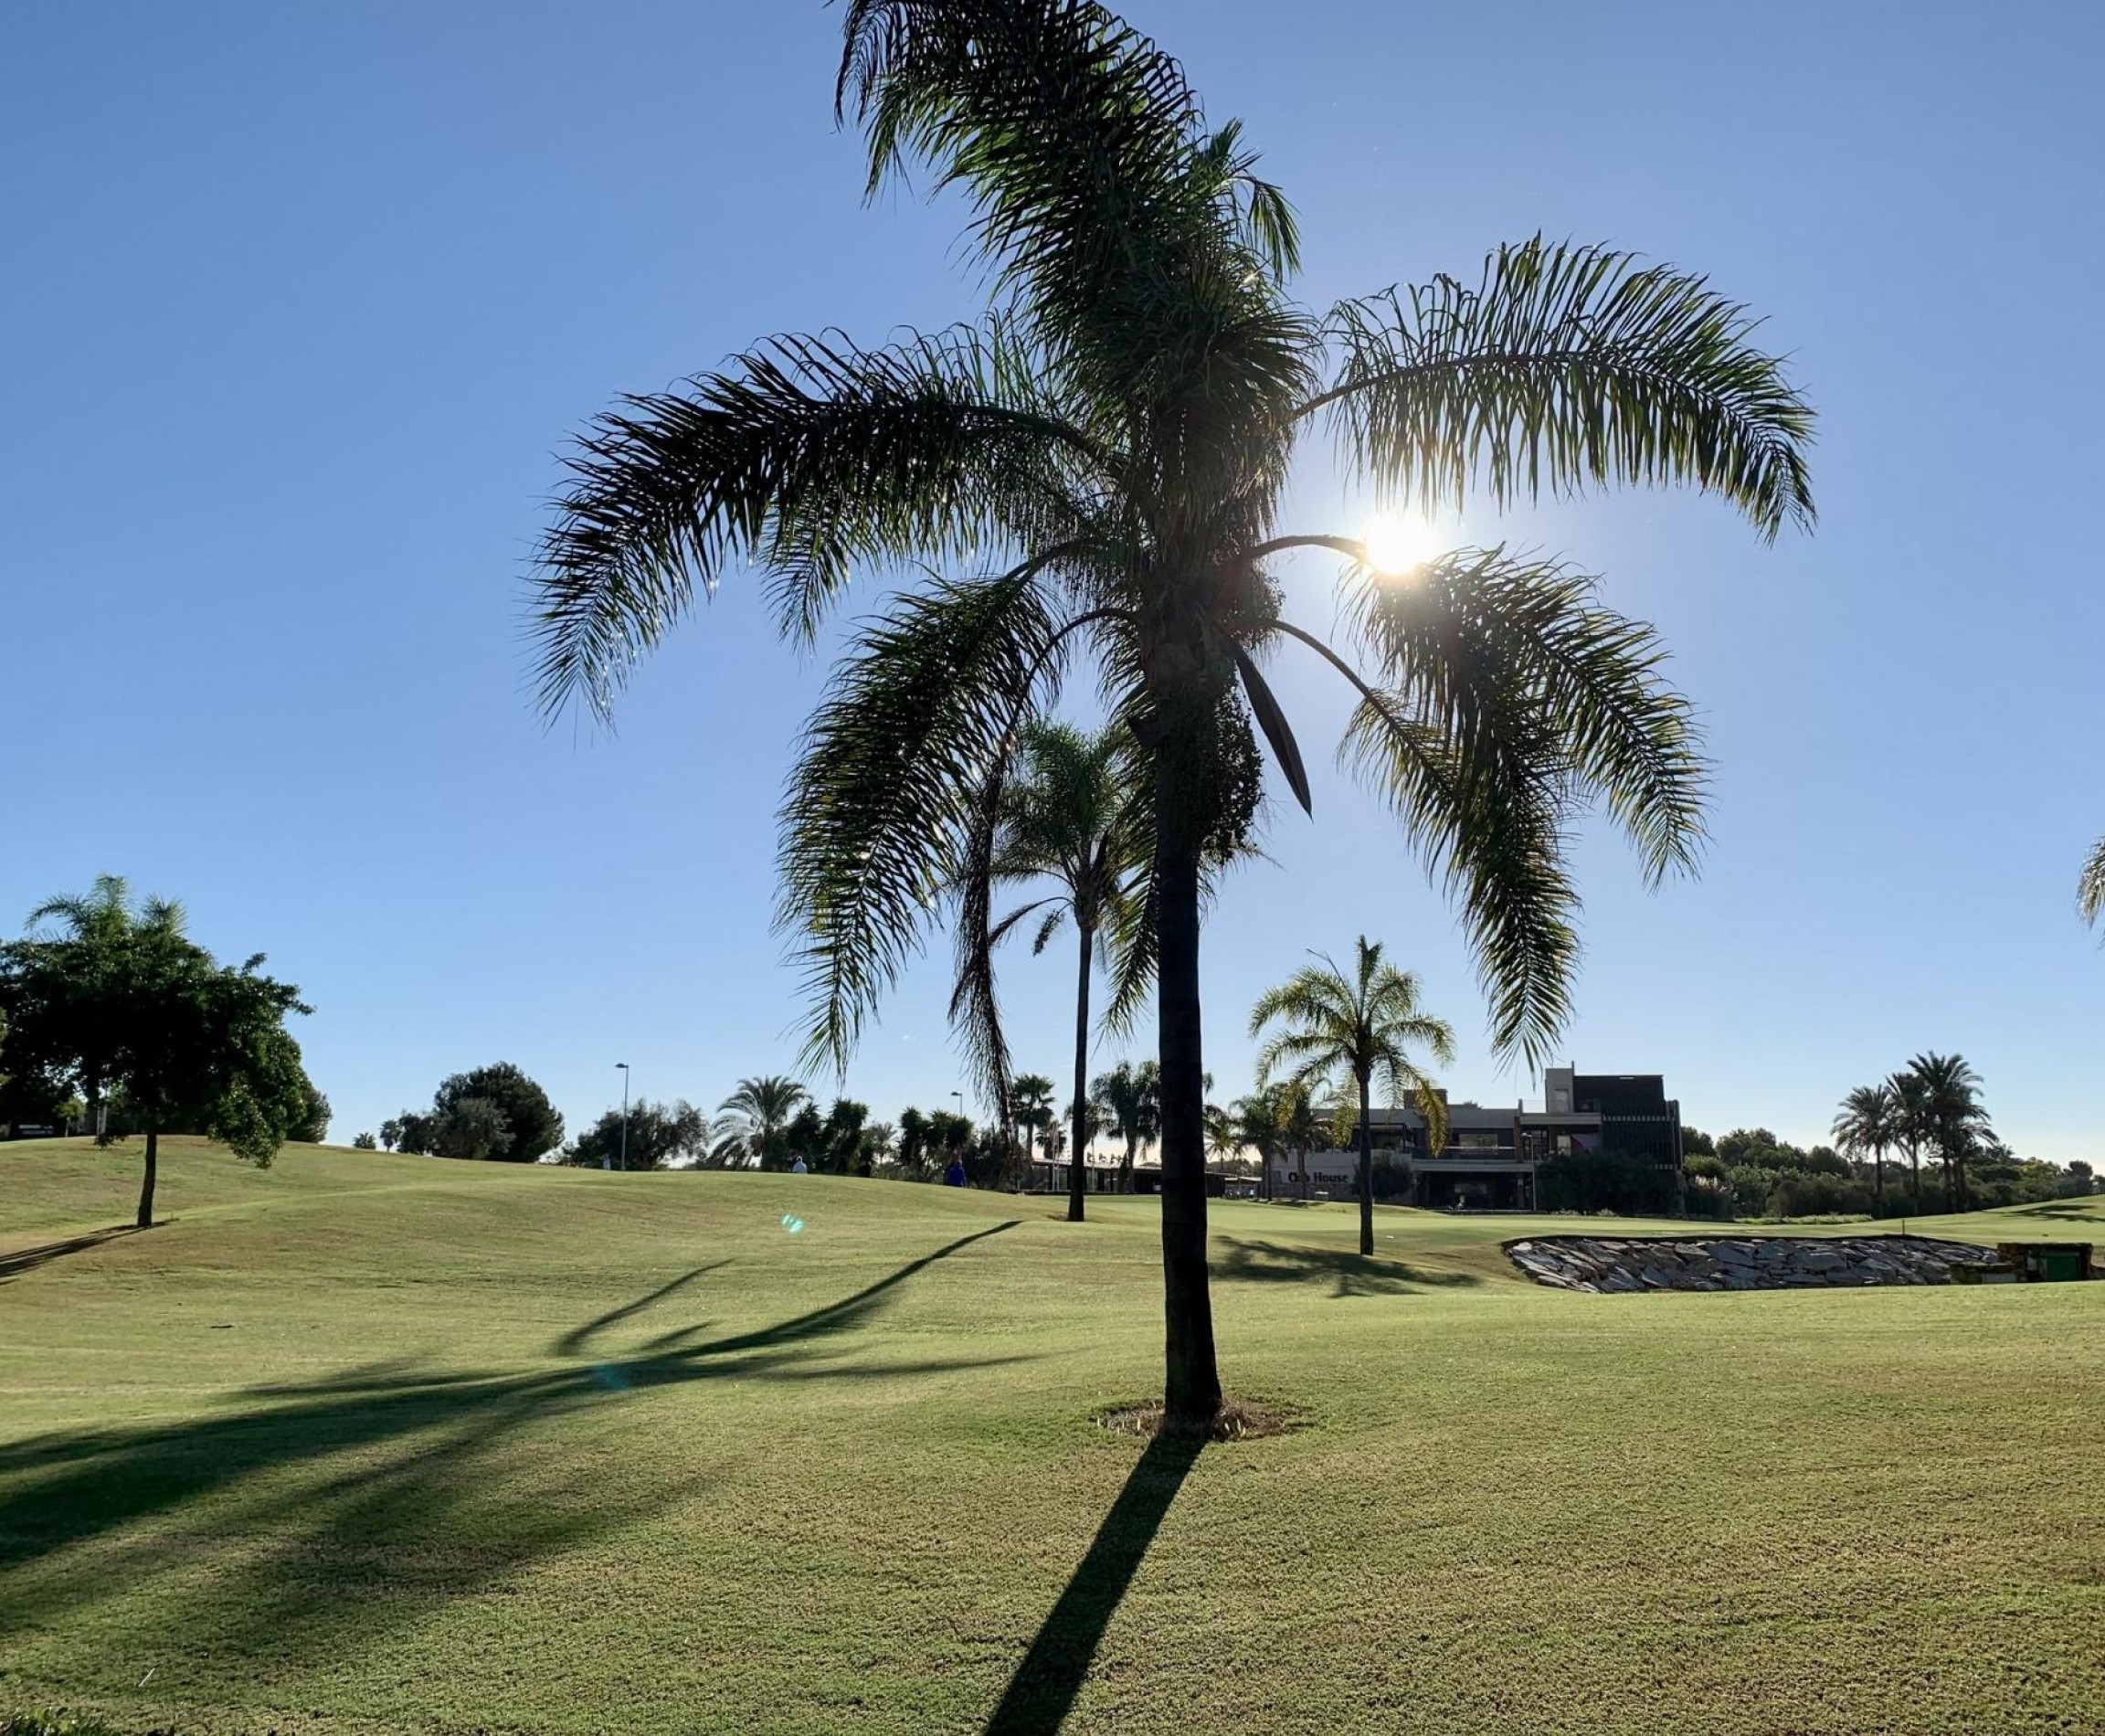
{"x":1138,"y":251}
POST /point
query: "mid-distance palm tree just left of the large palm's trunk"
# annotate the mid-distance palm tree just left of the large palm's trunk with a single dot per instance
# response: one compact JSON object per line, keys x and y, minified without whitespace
{"x":1066,"y":817}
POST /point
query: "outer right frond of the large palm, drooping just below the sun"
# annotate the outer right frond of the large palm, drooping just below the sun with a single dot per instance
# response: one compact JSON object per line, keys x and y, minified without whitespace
{"x":1483,"y":639}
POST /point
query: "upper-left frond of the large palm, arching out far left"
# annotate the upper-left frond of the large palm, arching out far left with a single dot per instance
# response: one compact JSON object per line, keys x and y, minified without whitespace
{"x":809,"y":458}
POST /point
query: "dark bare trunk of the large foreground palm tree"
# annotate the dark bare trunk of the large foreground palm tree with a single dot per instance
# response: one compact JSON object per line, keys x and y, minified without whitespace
{"x":1192,"y":1388}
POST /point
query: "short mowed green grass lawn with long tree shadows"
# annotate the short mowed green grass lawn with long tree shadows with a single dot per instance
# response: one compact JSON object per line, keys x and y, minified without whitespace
{"x":384,"y":1442}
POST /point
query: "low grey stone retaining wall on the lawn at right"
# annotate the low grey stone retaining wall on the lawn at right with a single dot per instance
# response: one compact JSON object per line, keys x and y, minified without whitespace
{"x":1628,"y":1264}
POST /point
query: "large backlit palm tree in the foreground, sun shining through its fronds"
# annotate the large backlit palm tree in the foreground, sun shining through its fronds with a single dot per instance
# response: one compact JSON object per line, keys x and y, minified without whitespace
{"x":1096,"y":475}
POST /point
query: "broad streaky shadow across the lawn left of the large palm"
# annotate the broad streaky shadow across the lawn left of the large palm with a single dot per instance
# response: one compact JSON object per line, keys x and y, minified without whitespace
{"x":336,"y":1510}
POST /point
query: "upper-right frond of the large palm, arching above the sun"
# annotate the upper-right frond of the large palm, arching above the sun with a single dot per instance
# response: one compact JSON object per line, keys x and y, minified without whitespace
{"x":1567,"y":367}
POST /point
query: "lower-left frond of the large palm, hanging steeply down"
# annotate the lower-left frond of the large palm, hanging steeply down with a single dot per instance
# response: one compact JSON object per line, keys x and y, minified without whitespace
{"x":881,"y":809}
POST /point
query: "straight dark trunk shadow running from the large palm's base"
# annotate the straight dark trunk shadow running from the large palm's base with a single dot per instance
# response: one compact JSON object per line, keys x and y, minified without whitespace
{"x":1051,"y":1676}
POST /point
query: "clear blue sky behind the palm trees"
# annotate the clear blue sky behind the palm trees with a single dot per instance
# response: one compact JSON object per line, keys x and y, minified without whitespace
{"x":298,"y":306}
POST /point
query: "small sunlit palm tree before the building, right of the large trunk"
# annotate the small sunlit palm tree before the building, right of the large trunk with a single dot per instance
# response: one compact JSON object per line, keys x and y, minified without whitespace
{"x":1357,"y":1028}
